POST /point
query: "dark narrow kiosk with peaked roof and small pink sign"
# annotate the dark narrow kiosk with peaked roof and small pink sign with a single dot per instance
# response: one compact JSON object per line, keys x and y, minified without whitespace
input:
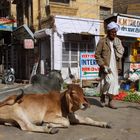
{"x":23,"y":52}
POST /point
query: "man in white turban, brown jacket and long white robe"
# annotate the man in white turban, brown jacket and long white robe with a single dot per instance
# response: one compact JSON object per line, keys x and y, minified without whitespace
{"x":108,"y":54}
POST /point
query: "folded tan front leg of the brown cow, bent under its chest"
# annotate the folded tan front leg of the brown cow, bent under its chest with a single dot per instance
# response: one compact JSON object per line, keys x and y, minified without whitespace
{"x":56,"y":121}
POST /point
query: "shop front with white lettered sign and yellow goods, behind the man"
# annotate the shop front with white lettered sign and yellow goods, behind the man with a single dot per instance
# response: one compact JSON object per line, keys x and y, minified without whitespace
{"x":129,"y":33}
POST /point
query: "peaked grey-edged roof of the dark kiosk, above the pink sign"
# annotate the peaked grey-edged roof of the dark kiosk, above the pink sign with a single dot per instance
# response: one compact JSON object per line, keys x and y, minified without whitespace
{"x":23,"y":32}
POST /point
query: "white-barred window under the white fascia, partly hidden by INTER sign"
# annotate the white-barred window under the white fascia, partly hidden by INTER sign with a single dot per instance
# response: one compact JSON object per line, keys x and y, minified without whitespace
{"x":72,"y":48}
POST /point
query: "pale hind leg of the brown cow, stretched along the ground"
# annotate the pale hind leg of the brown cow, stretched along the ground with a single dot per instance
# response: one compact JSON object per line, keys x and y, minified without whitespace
{"x":25,"y":124}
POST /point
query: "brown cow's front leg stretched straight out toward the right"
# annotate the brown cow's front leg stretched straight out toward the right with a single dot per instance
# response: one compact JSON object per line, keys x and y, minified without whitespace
{"x":76,"y":119}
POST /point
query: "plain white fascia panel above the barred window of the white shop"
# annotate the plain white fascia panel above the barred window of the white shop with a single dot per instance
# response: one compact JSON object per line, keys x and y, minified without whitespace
{"x":65,"y":24}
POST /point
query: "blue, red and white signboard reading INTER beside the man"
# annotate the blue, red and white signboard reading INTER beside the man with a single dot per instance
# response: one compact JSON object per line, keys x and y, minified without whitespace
{"x":88,"y":66}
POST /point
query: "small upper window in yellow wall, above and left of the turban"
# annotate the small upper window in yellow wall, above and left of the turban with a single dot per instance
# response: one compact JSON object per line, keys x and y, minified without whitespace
{"x":104,"y":12}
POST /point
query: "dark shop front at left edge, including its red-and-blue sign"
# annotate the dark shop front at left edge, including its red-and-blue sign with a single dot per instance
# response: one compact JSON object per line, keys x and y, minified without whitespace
{"x":6,"y":27}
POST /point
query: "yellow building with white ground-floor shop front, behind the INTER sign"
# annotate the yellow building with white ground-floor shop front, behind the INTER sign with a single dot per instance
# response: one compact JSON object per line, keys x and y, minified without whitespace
{"x":70,"y":27}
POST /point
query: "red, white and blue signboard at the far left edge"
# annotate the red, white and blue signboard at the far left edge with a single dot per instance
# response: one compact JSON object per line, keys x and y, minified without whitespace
{"x":7,"y":24}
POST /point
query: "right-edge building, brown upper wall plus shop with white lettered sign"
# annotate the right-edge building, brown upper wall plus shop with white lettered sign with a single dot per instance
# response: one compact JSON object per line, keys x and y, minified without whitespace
{"x":128,"y":17}
